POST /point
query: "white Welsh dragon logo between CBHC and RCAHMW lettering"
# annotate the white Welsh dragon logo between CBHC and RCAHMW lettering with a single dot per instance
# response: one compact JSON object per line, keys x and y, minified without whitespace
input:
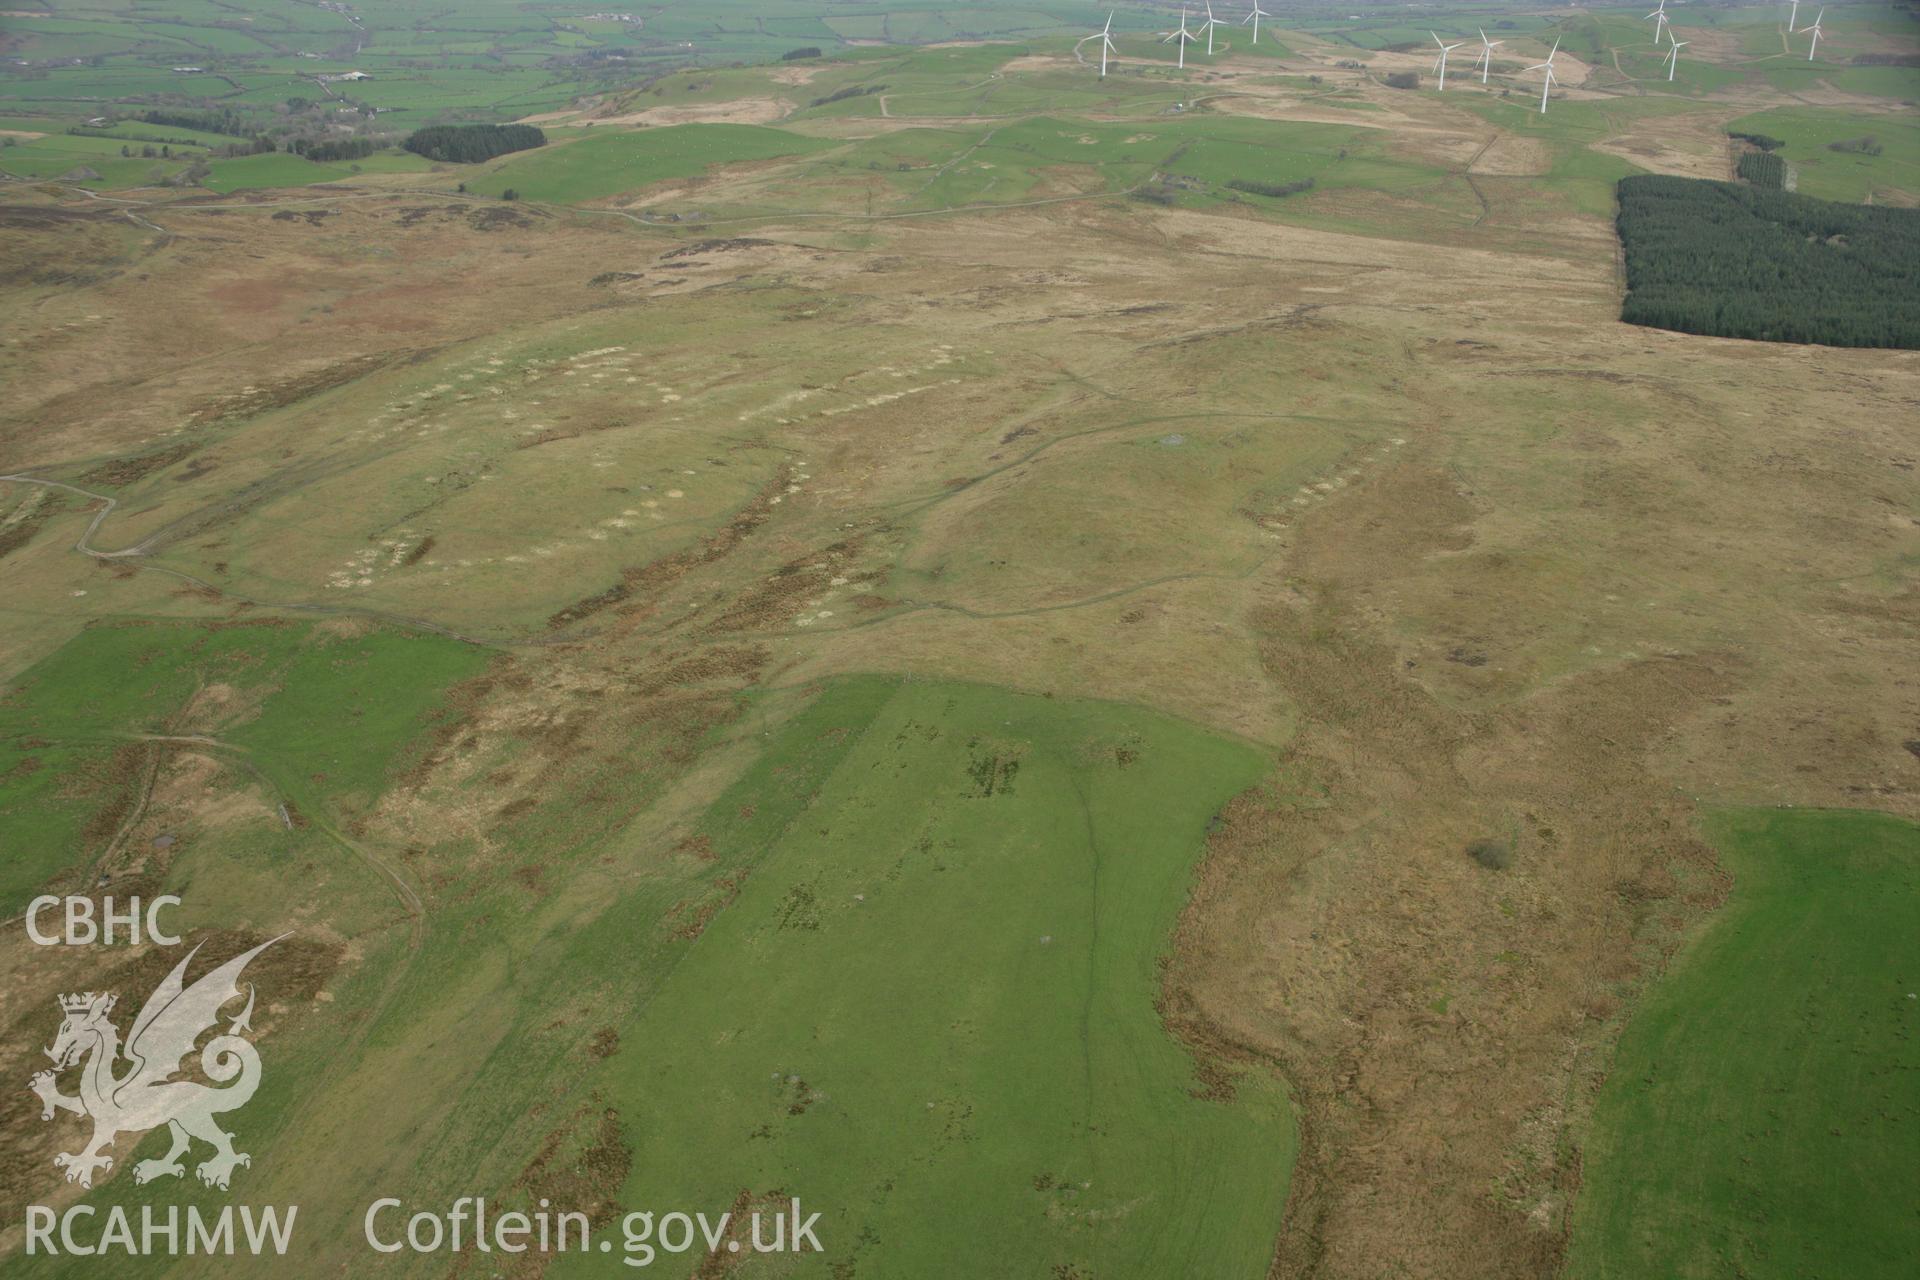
{"x":145,"y":1097}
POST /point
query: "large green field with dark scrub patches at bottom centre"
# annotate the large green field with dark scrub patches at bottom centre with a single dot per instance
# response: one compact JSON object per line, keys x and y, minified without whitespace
{"x":930,"y":1010}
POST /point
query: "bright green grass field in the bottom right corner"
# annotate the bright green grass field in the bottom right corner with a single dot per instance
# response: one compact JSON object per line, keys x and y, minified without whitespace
{"x":1760,"y":1118}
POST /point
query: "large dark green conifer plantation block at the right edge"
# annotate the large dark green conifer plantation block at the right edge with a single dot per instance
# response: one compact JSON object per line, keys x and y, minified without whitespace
{"x":1740,"y":262}
